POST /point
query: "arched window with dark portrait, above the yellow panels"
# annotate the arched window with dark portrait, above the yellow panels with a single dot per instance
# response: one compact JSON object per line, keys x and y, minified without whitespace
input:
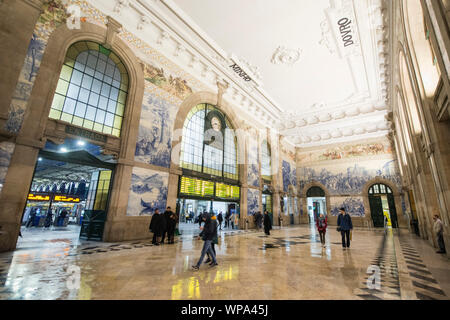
{"x":209,"y":143}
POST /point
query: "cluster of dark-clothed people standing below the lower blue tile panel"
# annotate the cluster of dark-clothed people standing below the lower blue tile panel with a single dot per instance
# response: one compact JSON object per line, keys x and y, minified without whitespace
{"x":162,"y":225}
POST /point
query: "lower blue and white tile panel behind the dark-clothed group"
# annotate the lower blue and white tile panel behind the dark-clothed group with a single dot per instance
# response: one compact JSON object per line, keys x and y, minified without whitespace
{"x":148,"y":192}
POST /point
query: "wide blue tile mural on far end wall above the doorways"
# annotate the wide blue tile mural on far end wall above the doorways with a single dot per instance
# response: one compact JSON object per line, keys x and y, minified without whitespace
{"x":349,"y":180}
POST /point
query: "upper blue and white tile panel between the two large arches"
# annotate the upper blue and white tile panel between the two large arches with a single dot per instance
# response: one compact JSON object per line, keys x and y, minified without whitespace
{"x":154,"y":142}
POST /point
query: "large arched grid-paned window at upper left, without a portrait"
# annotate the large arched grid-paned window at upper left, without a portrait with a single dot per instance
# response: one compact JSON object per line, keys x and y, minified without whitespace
{"x":92,"y":89}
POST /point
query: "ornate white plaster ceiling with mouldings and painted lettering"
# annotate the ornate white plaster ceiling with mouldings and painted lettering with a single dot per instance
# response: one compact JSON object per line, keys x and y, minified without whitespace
{"x":316,"y":70}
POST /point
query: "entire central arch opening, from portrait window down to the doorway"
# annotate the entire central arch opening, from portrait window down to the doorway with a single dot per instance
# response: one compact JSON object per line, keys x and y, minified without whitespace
{"x":209,"y":181}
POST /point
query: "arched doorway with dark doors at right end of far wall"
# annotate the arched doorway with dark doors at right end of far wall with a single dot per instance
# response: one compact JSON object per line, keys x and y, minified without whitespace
{"x":382,"y":206}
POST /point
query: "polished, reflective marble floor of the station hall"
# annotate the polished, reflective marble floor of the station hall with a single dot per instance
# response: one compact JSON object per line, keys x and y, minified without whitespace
{"x":290,"y":264}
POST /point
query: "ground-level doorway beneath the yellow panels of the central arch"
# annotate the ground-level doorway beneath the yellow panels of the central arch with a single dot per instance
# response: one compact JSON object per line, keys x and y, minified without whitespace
{"x":192,"y":209}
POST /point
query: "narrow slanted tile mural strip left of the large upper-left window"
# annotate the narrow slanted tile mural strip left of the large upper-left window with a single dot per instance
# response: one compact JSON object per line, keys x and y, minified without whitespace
{"x":25,"y":84}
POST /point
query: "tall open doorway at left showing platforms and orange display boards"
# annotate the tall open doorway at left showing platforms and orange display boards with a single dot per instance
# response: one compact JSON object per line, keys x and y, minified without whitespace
{"x":68,"y":197}
